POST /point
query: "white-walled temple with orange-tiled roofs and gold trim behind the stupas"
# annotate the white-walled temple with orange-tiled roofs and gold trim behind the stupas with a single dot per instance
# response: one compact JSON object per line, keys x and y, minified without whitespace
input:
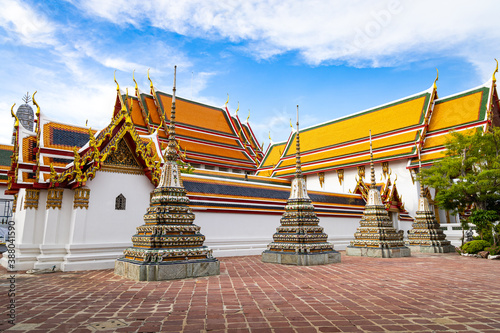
{"x":78,"y":193}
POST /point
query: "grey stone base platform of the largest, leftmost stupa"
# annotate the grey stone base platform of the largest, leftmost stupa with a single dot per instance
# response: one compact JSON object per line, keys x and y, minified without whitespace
{"x":167,"y":271}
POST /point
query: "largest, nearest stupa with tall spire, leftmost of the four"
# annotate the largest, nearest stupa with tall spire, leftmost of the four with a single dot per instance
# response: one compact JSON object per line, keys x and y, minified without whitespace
{"x":168,"y":246}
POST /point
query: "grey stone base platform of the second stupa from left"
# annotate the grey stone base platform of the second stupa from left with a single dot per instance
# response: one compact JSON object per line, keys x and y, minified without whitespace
{"x":301,"y":259}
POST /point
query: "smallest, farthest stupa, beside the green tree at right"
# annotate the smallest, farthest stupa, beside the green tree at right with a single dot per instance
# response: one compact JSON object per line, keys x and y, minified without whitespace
{"x":426,"y":236}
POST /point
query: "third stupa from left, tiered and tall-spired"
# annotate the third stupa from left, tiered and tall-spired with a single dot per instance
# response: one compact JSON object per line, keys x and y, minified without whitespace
{"x":376,"y":236}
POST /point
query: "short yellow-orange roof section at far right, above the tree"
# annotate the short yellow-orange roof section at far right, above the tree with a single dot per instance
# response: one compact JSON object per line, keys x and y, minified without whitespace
{"x":470,"y":110}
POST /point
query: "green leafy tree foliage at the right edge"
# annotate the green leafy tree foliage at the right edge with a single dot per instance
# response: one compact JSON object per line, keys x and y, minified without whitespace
{"x":469,"y":175}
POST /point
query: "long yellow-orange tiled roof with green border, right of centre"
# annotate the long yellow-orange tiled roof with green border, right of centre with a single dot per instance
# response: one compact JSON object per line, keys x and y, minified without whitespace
{"x":396,"y":127}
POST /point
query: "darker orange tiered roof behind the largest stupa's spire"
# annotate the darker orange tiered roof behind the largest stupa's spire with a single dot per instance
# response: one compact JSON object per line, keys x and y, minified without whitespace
{"x":206,"y":134}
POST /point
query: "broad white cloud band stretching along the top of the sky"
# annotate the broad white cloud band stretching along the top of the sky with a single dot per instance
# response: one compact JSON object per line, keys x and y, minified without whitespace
{"x":359,"y":33}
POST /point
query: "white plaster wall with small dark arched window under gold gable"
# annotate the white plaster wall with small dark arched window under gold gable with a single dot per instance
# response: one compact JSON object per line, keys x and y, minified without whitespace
{"x":104,"y":223}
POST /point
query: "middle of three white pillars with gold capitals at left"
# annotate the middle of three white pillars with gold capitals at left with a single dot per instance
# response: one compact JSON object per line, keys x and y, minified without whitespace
{"x":52,"y":250}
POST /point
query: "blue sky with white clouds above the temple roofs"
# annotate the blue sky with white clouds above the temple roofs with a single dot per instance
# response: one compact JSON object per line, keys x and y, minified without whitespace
{"x":333,"y":58}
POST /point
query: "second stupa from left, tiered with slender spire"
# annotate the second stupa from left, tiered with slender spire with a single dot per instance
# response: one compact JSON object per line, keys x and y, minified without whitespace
{"x":299,"y":239}
